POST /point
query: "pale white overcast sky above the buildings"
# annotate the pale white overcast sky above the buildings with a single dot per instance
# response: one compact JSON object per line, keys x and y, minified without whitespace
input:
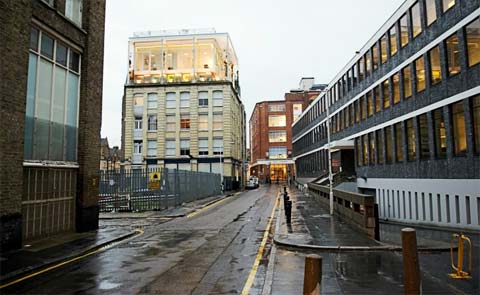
{"x":277,"y":41}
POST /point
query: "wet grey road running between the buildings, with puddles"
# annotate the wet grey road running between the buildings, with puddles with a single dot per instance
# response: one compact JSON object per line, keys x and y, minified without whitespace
{"x":210,"y":253}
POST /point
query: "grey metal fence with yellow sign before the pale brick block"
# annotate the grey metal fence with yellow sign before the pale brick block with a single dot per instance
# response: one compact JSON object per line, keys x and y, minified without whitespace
{"x":154,"y":189}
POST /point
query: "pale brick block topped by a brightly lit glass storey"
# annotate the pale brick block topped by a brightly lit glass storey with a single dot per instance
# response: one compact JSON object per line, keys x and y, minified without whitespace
{"x":182,"y":107}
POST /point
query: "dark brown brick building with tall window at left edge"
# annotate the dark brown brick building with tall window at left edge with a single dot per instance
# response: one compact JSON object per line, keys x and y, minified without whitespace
{"x":51,"y":95}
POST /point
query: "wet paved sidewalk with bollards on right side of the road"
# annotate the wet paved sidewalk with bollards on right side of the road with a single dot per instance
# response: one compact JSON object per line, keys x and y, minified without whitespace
{"x":356,"y":272}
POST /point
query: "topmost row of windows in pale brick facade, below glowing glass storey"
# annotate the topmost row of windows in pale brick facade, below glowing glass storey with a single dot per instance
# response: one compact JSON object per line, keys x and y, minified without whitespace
{"x":184,"y":99}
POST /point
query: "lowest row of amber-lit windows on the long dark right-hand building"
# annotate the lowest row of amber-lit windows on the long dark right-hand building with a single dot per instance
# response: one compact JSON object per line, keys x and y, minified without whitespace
{"x":386,"y":145}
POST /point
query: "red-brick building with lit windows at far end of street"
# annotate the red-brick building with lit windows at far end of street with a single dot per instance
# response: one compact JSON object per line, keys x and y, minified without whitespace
{"x":271,"y":133}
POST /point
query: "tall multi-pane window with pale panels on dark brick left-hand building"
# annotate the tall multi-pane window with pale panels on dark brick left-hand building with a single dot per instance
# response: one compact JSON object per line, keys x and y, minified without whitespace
{"x":52,"y":100}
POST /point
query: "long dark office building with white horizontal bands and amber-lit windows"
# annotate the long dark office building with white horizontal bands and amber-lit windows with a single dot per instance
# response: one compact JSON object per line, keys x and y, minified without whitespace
{"x":407,"y":108}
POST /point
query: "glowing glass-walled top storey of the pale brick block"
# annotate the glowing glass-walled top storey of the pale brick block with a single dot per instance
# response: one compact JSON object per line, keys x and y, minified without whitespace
{"x":182,"y":56}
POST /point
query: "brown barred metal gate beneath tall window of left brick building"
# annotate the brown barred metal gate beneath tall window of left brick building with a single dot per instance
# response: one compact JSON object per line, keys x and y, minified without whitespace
{"x":48,"y":201}
